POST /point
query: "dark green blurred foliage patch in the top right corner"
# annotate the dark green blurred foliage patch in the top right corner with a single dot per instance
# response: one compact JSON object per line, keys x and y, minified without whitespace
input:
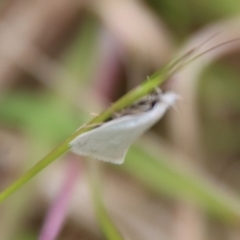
{"x":186,"y":16}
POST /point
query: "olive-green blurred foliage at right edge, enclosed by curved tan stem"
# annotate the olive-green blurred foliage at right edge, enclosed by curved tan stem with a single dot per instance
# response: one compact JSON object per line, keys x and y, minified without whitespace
{"x":219,"y":92}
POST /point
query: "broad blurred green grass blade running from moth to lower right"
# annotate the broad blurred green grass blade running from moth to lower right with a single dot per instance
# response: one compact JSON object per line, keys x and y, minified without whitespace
{"x":159,"y":172}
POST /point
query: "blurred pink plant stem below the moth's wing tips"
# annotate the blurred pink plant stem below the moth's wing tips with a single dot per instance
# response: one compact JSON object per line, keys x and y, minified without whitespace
{"x":58,"y":211}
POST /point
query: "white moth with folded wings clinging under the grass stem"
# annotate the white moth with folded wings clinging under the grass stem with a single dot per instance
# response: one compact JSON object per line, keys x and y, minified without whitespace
{"x":111,"y":141}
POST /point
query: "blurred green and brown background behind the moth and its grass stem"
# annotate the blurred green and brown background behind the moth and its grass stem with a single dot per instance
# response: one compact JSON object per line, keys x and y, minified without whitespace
{"x":64,"y":61}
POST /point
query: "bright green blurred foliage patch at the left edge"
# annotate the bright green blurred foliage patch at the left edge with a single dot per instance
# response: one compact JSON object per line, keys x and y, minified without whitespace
{"x":44,"y":115}
